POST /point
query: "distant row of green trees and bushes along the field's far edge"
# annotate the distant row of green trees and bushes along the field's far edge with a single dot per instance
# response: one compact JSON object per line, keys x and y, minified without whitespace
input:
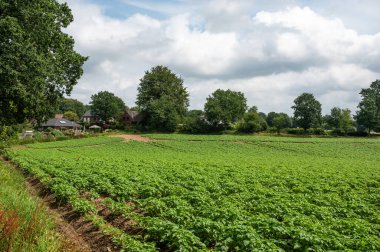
{"x":163,"y":102}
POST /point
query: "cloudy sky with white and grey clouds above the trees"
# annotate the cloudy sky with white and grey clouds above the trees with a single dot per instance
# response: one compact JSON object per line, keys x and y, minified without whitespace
{"x":272,"y":51}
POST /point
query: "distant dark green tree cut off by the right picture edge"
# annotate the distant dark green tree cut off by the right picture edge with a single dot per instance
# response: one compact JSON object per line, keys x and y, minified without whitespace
{"x":368,"y":114}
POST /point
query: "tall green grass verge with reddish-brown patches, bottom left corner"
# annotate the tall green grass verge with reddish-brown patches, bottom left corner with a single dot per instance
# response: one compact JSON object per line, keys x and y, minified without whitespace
{"x":24,"y":225}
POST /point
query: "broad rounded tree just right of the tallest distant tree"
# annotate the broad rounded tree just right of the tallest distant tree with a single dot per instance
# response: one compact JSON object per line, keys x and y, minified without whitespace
{"x":224,"y":107}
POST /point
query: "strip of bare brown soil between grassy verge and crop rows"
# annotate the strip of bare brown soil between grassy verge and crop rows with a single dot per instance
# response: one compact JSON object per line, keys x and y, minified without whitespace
{"x":77,"y":233}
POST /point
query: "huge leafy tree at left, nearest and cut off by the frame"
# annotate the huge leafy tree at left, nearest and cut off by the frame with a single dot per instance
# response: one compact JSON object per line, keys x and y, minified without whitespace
{"x":38,"y":63}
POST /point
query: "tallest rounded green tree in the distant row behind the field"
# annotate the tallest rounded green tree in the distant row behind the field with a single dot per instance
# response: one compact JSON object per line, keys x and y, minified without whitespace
{"x":162,"y":98}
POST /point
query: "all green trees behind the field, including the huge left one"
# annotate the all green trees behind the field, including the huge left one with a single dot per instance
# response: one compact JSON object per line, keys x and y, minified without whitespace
{"x":39,"y":66}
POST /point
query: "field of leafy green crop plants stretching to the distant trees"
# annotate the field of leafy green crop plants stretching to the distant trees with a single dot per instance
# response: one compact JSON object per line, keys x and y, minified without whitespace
{"x":222,"y":193}
